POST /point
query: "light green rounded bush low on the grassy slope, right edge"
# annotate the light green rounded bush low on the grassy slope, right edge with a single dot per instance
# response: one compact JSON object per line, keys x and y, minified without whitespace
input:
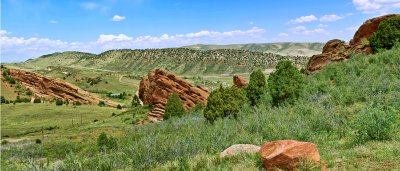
{"x":376,"y":124}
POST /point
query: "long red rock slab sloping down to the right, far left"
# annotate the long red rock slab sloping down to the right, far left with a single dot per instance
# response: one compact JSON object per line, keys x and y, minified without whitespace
{"x":46,"y":87}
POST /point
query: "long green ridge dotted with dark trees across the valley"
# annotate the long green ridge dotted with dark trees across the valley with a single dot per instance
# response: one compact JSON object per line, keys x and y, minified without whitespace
{"x":176,"y":60}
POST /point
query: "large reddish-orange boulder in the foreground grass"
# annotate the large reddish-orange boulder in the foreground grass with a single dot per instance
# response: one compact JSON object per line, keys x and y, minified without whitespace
{"x":287,"y":154}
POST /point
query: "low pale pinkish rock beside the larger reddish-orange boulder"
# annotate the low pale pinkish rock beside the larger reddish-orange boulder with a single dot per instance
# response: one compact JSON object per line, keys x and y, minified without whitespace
{"x":239,"y":148}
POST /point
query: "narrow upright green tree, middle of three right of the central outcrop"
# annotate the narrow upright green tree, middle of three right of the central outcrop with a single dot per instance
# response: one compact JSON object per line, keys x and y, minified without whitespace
{"x":256,"y":87}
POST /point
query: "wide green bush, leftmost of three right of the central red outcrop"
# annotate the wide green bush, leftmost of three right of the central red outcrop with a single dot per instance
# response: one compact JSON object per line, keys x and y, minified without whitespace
{"x":224,"y":102}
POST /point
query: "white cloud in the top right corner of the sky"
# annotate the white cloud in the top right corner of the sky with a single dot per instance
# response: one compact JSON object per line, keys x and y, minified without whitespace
{"x":377,"y":6}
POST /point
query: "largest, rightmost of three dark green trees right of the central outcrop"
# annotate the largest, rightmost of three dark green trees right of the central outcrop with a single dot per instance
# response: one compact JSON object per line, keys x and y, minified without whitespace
{"x":285,"y":84}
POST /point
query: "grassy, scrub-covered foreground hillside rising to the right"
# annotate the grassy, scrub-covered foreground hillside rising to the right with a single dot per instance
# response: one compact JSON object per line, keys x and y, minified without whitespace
{"x":333,"y":112}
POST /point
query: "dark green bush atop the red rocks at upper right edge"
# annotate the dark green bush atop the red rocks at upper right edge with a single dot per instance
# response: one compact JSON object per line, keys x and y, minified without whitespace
{"x":387,"y":35}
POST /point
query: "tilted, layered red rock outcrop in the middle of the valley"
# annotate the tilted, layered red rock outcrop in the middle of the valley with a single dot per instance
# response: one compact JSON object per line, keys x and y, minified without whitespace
{"x":158,"y":85}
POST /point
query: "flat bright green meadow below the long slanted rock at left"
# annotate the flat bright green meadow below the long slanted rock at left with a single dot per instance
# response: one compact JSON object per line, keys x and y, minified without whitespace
{"x":25,"y":118}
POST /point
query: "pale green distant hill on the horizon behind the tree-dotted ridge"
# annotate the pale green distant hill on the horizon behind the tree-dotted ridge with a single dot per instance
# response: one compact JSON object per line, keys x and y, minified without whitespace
{"x":284,"y":48}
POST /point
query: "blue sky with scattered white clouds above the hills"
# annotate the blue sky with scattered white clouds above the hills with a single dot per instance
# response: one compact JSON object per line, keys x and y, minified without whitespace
{"x":33,"y":28}
